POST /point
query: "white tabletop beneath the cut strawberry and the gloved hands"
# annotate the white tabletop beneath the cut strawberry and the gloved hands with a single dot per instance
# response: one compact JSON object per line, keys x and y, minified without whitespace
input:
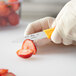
{"x":52,"y":60}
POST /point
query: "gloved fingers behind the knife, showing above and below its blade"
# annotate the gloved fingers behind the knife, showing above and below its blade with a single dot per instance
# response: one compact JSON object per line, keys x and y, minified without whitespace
{"x":38,"y":26}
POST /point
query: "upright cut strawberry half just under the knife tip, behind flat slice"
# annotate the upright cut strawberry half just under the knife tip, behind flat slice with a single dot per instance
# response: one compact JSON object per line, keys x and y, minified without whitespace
{"x":29,"y":44}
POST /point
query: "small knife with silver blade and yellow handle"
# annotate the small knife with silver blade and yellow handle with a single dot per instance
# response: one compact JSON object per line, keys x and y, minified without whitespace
{"x":40,"y":35}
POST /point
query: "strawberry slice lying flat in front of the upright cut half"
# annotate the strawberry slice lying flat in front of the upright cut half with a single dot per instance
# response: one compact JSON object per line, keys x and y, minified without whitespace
{"x":25,"y":53}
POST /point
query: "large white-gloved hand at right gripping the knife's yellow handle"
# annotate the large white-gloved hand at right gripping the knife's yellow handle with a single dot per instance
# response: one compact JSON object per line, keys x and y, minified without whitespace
{"x":65,"y":31}
